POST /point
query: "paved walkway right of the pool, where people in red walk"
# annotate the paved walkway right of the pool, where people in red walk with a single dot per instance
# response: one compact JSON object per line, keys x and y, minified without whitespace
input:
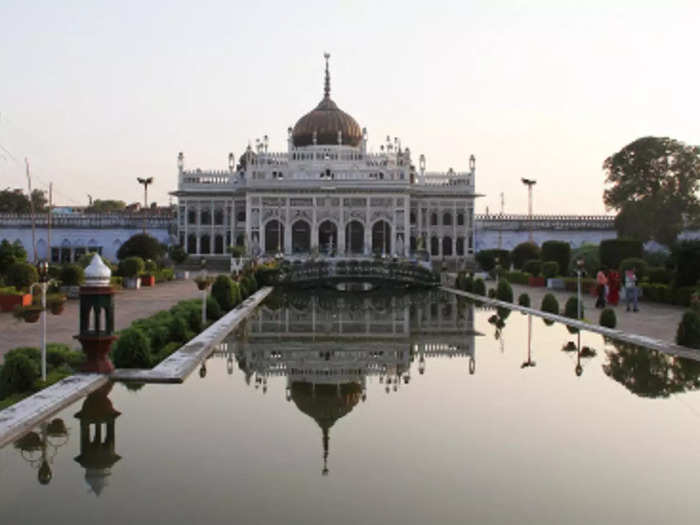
{"x":656,"y":320}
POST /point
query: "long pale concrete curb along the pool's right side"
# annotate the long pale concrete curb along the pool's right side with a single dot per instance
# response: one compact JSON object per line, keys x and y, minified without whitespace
{"x":650,"y":342}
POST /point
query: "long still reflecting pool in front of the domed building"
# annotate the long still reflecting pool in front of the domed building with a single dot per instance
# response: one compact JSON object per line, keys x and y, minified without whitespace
{"x":374,"y":408}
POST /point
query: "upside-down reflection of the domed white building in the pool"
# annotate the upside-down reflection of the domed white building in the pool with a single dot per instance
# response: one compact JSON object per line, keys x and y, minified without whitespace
{"x":327,"y":345}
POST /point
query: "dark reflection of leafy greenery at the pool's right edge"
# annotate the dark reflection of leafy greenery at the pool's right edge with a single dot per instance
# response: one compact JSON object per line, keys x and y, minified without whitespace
{"x":649,"y":373}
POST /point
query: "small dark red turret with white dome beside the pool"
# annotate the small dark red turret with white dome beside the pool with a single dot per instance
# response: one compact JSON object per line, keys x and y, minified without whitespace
{"x":97,"y":317}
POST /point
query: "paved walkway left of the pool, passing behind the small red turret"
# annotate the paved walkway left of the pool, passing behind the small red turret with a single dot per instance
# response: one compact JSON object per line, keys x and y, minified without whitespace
{"x":129,"y":306}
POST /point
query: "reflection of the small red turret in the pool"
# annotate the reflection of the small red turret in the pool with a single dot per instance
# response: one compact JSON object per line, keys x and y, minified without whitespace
{"x":97,"y":438}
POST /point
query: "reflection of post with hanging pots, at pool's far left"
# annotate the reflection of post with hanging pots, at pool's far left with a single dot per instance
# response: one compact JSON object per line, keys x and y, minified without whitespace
{"x":39,"y":448}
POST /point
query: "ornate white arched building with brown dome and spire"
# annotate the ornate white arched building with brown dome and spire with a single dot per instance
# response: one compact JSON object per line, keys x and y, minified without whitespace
{"x":328,"y":195}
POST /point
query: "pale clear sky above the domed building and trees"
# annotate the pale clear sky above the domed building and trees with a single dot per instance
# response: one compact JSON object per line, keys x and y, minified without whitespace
{"x":96,"y":94}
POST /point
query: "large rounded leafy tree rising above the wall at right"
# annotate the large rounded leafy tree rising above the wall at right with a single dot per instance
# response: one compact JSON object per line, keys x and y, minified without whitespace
{"x":654,"y":181}
